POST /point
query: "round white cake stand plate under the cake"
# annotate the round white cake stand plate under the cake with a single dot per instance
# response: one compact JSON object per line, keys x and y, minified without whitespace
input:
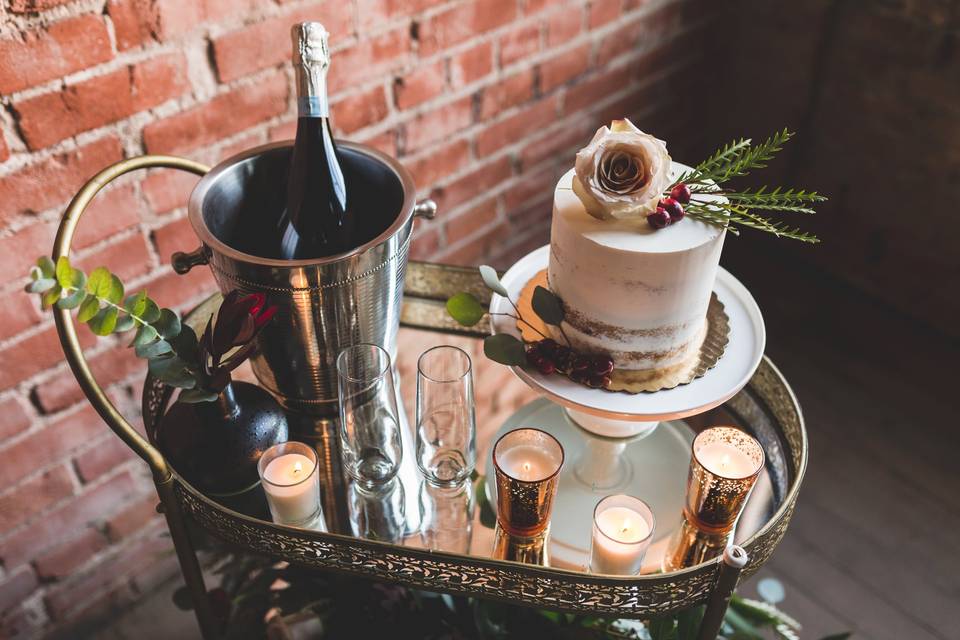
{"x":623,"y":415}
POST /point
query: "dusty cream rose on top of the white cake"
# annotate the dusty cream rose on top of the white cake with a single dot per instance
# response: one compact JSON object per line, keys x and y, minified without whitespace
{"x":622,"y":172}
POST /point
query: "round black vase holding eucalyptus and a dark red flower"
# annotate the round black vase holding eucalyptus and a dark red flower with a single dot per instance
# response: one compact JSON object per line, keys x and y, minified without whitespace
{"x":215,"y":445}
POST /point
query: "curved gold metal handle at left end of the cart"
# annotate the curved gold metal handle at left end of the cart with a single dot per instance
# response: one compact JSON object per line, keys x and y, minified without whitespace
{"x":68,"y":331}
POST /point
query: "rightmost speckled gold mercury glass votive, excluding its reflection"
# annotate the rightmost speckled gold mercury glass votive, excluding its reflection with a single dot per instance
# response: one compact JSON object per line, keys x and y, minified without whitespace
{"x":725,"y":464}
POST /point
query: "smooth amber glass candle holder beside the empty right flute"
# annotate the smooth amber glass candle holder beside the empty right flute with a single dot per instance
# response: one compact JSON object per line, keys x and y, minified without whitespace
{"x":527,"y":464}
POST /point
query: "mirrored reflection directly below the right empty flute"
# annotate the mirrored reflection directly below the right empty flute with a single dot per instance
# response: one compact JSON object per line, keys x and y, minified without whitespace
{"x":446,"y":517}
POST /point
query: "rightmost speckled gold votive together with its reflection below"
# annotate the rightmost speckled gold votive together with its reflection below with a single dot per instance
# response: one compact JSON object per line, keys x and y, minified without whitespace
{"x":723,"y":469}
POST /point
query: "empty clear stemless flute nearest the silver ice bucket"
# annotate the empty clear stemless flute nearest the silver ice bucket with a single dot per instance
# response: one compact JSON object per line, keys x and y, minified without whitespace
{"x":371,"y":448}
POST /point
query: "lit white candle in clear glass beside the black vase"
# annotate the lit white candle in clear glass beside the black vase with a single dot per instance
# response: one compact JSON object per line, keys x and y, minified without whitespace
{"x":288,"y":474}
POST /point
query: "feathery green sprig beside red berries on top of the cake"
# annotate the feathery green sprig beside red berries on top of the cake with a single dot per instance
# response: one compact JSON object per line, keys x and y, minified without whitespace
{"x":737,"y":208}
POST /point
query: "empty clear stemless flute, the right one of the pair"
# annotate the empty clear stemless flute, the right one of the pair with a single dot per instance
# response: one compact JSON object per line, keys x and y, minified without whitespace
{"x":446,"y":422}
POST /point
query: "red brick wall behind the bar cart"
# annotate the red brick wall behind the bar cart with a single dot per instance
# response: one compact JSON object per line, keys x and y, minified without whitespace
{"x":484,"y":100}
